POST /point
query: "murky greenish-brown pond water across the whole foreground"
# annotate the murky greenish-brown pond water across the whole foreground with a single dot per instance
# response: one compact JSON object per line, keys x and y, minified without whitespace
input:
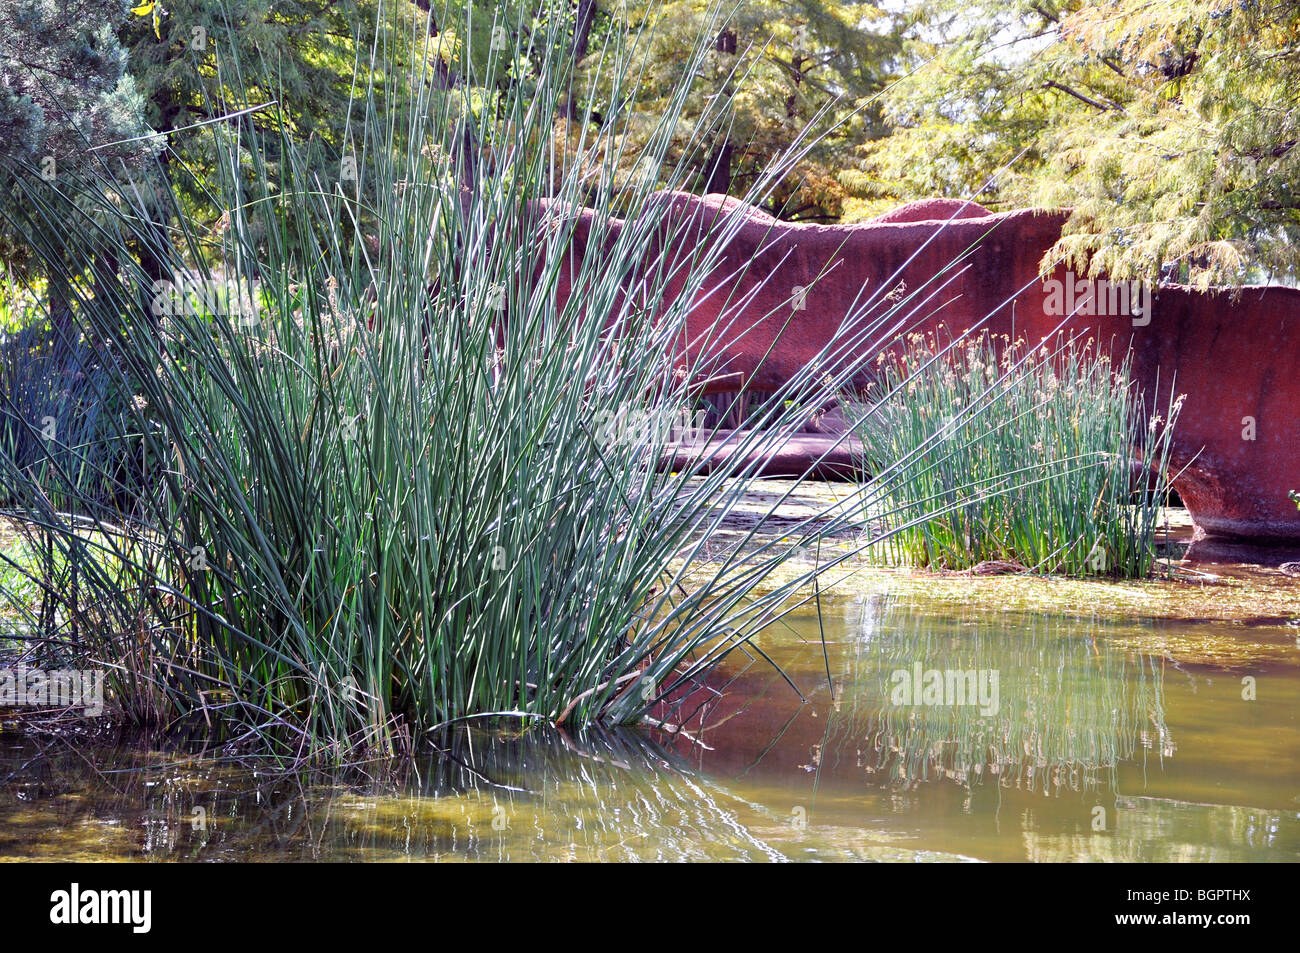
{"x":1104,"y":743}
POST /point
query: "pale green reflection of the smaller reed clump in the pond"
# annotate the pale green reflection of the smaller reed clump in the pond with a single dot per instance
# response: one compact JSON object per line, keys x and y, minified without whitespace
{"x":1065,"y":704}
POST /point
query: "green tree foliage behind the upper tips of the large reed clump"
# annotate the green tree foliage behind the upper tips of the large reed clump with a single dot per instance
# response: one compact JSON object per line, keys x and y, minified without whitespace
{"x":304,"y":72}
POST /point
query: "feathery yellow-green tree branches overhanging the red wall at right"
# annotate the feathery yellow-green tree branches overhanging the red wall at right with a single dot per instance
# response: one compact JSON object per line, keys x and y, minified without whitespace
{"x":1171,"y":129}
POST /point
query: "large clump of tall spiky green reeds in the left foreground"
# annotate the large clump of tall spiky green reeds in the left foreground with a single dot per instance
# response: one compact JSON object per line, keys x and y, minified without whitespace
{"x":400,"y":452}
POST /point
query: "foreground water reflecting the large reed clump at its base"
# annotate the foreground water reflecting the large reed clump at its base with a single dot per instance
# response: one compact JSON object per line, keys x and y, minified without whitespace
{"x":544,"y":796}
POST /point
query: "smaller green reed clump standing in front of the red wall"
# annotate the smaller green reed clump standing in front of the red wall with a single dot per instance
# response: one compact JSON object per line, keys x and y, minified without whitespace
{"x":1041,"y":457}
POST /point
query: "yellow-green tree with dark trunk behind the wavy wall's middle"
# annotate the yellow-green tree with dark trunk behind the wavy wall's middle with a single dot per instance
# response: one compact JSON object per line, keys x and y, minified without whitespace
{"x":775,"y":70}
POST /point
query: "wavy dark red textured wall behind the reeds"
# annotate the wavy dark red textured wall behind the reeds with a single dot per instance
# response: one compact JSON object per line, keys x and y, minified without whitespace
{"x":1236,"y":356}
